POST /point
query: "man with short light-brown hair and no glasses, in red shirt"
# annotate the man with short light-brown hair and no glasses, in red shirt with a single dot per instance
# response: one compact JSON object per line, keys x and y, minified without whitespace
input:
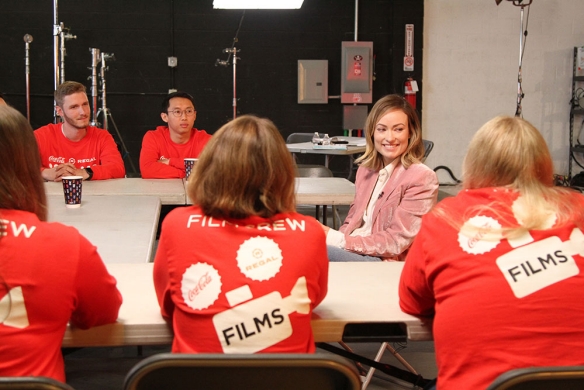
{"x":73,"y":147}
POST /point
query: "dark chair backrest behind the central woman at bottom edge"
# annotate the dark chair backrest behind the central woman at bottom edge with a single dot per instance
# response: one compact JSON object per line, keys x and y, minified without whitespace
{"x":225,"y":371}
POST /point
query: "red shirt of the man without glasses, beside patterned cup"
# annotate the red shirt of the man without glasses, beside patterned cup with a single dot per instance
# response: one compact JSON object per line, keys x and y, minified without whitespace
{"x":96,"y":150}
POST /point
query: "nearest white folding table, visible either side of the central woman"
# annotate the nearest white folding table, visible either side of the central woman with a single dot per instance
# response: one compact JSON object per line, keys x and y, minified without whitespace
{"x":361,"y":297}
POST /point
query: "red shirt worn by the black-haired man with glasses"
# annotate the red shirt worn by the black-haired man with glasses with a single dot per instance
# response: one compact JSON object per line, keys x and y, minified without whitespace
{"x":157,"y":144}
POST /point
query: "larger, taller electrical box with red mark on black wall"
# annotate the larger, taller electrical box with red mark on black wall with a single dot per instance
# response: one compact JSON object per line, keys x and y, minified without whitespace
{"x":356,"y":72}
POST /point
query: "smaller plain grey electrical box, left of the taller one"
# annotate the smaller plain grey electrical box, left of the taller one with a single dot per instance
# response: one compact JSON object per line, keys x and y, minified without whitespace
{"x":312,"y":81}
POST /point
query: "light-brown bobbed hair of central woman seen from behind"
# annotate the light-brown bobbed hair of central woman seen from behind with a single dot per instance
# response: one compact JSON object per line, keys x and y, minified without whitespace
{"x":245,"y":169}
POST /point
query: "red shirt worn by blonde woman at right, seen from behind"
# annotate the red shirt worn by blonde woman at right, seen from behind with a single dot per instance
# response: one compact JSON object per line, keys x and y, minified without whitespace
{"x":498,"y":304}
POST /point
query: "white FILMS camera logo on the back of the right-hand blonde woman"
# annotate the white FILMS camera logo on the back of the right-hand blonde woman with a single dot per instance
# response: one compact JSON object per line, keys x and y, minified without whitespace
{"x":540,"y":264}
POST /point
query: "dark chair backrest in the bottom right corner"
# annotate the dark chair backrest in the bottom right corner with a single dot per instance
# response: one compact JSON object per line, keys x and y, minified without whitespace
{"x":540,"y":378}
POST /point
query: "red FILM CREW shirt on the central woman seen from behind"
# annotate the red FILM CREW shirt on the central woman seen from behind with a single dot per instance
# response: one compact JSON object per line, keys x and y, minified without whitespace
{"x":240,"y":286}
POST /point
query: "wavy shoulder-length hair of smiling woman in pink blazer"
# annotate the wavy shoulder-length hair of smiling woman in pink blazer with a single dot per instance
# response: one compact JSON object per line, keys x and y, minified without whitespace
{"x":415,"y":151}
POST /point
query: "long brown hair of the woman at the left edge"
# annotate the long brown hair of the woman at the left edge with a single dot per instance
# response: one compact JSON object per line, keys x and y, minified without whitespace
{"x":21,"y":183}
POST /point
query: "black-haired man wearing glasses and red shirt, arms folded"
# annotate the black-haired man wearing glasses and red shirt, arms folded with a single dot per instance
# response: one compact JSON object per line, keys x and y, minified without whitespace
{"x":164,"y":149}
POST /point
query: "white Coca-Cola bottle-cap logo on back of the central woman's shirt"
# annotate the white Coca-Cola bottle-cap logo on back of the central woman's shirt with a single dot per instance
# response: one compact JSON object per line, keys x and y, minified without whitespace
{"x":200,"y":286}
